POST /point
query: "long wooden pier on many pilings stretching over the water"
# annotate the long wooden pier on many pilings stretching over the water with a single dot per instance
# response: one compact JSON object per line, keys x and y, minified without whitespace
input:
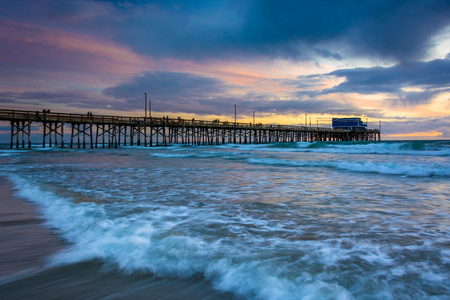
{"x":112,"y":131}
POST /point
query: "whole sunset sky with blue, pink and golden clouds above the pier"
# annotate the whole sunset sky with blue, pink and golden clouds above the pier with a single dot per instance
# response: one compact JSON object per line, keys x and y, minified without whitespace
{"x":386,"y":61}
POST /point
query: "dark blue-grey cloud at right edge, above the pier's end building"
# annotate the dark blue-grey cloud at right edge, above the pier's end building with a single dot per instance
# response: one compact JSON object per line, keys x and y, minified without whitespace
{"x":431,"y":77}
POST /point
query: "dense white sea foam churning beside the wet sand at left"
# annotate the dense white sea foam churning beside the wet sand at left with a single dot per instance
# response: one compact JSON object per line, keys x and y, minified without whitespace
{"x":153,"y":242}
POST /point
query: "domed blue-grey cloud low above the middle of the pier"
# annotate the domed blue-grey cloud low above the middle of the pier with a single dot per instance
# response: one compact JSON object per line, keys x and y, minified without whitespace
{"x":189,"y":93}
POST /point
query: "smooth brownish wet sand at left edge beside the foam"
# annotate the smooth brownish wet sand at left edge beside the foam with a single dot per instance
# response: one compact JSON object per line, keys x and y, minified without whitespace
{"x":25,"y":242}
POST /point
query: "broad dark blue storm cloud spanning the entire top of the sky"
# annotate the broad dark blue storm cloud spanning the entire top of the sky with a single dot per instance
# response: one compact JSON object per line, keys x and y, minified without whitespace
{"x":200,"y":29}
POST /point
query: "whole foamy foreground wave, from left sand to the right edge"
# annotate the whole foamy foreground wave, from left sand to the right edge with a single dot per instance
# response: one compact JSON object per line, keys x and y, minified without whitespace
{"x":248,"y":255}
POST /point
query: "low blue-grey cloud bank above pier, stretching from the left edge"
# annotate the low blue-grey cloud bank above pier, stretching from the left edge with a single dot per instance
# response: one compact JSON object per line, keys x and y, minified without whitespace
{"x":183,"y":93}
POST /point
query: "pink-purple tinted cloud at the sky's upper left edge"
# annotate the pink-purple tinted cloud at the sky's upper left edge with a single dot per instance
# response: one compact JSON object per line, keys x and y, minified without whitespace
{"x":42,"y":48}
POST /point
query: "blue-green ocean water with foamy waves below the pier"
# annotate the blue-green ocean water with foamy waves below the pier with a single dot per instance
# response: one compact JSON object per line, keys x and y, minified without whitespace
{"x":321,"y":220}
